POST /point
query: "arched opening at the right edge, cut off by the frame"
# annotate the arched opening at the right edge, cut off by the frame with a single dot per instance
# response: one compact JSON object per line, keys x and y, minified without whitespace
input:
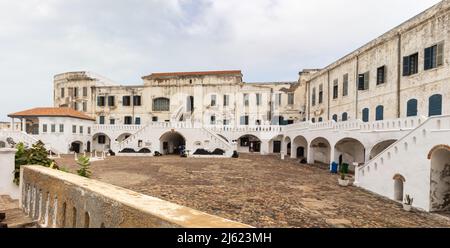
{"x":440,"y":179}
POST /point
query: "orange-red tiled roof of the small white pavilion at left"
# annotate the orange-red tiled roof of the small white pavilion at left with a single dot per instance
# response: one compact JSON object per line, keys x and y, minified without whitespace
{"x":56,"y":112}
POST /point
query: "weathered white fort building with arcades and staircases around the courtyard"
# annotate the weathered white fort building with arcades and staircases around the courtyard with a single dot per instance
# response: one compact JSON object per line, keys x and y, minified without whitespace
{"x":384,"y":109}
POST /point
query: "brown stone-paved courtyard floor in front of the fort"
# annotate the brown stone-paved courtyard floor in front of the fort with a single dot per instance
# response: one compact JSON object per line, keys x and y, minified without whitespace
{"x":261,"y":191}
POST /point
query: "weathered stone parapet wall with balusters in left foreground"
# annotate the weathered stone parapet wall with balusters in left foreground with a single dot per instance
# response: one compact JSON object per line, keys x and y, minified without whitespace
{"x":60,"y":199}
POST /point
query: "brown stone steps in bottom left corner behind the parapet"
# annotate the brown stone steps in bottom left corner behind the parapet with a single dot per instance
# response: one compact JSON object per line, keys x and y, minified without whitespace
{"x":15,"y":217}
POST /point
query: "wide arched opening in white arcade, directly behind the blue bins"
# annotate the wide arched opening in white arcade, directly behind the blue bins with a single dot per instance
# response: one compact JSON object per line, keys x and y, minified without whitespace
{"x":349,"y":151}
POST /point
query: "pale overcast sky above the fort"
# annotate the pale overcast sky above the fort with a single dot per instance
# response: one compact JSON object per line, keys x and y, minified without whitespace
{"x":269,"y":40}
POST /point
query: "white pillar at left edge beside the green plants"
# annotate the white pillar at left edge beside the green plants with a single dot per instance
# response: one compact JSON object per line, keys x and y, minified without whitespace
{"x":7,"y":166}
